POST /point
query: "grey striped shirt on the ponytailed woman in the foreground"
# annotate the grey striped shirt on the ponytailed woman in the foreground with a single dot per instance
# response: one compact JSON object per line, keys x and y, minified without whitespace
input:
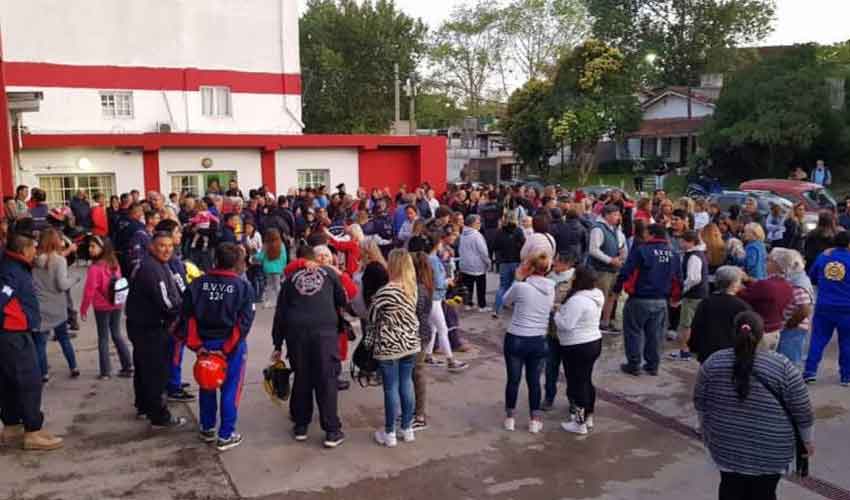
{"x":753,"y":436}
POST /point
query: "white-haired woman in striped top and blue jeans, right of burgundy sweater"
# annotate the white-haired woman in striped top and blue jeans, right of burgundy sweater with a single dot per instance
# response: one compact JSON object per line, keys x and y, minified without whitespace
{"x":798,"y":313}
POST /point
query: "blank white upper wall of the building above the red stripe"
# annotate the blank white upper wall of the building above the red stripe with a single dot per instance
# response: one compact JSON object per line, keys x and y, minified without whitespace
{"x":207,"y":34}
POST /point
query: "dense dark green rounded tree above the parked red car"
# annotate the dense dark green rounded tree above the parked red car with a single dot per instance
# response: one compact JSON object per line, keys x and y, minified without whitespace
{"x":775,"y":112}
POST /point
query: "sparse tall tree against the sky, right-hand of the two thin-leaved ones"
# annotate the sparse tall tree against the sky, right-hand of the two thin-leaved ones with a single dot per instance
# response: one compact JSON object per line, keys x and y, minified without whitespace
{"x":537,"y":31}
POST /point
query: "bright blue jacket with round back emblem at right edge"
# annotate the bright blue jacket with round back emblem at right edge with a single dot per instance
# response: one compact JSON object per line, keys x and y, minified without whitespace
{"x":831,"y":274}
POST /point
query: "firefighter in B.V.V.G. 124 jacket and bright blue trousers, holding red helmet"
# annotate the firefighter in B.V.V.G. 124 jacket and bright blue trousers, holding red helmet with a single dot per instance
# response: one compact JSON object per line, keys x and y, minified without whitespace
{"x":219,"y":311}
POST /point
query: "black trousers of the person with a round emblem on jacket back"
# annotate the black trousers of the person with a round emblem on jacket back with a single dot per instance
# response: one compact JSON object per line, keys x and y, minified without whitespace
{"x":316,"y":362}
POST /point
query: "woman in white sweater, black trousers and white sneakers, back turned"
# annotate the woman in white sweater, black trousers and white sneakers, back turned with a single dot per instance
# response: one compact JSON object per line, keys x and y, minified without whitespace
{"x":581,"y":344}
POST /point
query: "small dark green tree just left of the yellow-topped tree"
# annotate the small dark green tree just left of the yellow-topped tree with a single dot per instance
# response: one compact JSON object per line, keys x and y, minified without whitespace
{"x":526,"y":124}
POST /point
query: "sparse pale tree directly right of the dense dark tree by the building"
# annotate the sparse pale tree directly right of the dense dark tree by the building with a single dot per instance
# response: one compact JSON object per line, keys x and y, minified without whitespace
{"x":465,"y":52}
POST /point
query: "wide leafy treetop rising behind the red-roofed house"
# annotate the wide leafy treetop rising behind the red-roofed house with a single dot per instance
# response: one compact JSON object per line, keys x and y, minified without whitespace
{"x":688,"y":37}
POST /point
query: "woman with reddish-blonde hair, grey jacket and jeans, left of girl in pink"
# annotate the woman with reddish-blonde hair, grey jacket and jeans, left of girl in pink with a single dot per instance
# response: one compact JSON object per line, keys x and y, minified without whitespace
{"x":51,"y":279}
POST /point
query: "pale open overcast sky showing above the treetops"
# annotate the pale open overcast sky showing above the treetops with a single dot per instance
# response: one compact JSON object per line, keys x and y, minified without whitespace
{"x":822,"y":21}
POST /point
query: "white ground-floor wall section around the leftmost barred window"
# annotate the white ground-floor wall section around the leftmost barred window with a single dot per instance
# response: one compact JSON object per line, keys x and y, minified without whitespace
{"x":126,"y":165}
